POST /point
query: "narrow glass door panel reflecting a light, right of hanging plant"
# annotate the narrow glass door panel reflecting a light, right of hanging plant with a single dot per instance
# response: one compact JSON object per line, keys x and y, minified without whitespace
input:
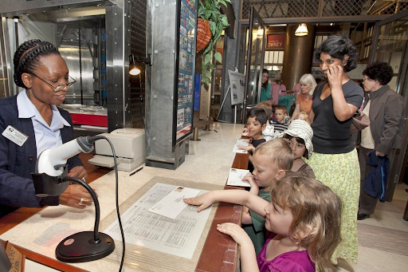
{"x":254,"y":61}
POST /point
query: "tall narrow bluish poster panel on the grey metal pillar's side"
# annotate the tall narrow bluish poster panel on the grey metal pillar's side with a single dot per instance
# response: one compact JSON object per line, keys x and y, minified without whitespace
{"x":185,"y":66}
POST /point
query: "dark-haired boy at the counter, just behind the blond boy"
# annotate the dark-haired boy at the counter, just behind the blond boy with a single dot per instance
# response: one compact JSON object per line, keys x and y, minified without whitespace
{"x":256,"y":123}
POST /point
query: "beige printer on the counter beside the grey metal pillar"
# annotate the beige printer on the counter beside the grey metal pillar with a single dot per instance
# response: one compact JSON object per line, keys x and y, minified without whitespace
{"x":130,"y":149}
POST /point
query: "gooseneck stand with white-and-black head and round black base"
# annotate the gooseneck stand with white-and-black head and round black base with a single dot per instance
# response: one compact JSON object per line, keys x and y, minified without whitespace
{"x":82,"y":246}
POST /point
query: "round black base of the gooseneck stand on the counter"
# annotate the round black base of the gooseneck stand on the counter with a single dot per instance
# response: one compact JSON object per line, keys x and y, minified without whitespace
{"x":81,"y":247}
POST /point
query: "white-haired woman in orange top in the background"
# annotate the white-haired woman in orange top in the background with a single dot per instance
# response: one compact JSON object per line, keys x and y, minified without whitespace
{"x":304,"y":99}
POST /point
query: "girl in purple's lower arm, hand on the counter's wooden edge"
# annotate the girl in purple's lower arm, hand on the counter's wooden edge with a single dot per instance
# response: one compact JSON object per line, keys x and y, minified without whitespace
{"x":247,"y":250}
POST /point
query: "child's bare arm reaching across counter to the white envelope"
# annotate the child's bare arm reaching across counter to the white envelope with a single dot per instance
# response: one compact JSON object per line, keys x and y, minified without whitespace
{"x":241,"y":197}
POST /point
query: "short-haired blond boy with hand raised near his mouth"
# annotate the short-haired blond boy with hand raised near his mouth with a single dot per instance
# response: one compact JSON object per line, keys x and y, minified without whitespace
{"x":271,"y":160}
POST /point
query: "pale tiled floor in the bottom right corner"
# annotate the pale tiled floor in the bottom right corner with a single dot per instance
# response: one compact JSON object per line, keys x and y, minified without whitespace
{"x":383,"y":238}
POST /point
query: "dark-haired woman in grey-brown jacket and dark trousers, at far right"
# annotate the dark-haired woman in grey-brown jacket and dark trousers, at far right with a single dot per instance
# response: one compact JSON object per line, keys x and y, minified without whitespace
{"x":385,"y":108}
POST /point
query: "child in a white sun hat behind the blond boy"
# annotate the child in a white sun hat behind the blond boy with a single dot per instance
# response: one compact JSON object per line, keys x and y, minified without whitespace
{"x":300,"y":134}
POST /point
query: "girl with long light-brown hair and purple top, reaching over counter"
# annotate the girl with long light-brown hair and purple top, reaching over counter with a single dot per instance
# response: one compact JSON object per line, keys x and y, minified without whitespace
{"x":303,"y":219}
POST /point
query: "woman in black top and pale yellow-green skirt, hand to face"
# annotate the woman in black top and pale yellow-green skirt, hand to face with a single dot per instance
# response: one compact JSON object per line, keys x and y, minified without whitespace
{"x":335,"y":161}
